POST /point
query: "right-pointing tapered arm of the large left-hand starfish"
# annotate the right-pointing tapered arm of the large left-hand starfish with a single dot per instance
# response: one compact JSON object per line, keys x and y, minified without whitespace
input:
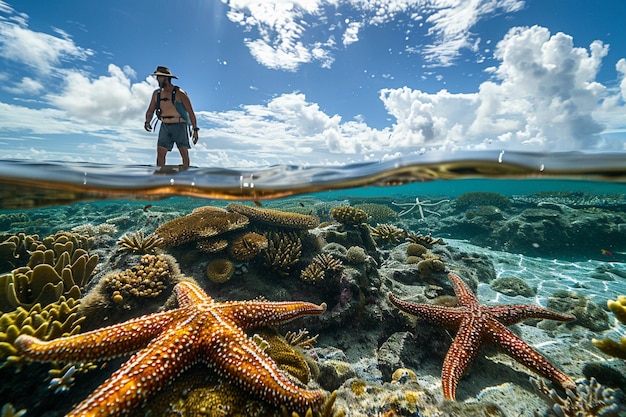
{"x":250,"y":314}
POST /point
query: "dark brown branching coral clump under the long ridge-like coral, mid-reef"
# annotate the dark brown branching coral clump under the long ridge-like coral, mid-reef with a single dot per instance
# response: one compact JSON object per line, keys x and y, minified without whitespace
{"x":283,"y":251}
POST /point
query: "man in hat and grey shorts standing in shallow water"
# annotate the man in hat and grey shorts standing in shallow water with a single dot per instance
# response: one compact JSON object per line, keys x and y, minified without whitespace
{"x":173,"y":124}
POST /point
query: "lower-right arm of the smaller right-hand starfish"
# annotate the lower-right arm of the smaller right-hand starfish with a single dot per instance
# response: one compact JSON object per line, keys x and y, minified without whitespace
{"x":519,"y":350}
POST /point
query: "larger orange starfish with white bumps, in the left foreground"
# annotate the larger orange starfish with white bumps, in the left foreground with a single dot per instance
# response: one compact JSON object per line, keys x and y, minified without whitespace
{"x":168,"y":343}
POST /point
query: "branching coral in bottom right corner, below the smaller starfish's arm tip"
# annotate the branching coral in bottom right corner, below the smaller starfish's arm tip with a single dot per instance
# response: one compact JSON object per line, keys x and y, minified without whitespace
{"x":590,"y":400}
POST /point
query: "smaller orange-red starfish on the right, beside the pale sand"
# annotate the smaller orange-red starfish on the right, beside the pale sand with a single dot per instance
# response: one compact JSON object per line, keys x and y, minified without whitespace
{"x":479,"y":324}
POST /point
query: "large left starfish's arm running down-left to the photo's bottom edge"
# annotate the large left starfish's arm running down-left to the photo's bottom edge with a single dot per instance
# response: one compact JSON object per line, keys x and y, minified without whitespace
{"x":148,"y":371}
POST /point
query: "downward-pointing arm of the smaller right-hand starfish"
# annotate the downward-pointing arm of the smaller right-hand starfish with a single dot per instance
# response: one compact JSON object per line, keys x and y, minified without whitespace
{"x":462,"y":352}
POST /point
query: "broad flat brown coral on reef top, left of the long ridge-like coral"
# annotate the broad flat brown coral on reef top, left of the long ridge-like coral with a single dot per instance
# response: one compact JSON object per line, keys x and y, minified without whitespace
{"x":203,"y":222}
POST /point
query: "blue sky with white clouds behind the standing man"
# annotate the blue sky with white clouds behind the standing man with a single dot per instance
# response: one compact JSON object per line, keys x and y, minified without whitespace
{"x":313,"y":82}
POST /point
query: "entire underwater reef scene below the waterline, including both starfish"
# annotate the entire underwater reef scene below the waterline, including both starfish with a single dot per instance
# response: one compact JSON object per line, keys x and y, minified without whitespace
{"x":466,"y":296}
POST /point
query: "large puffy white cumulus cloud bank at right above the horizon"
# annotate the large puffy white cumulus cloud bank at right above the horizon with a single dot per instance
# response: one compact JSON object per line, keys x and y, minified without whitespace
{"x":543,"y":92}
